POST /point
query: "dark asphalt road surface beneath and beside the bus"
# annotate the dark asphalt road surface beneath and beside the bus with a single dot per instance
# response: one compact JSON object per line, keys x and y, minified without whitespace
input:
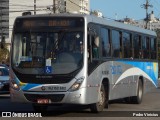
{"x":149,"y":107}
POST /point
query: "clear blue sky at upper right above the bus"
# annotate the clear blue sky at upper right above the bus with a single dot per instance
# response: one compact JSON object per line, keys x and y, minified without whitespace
{"x":119,"y":9}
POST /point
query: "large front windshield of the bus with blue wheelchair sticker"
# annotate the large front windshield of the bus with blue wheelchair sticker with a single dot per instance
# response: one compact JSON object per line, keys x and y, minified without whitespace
{"x":59,"y":51}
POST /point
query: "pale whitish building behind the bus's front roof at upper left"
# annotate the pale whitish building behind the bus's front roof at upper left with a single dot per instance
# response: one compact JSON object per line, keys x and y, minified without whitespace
{"x":17,"y":7}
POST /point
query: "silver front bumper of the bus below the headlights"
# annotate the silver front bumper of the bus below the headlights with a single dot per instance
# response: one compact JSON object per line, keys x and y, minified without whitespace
{"x":75,"y":97}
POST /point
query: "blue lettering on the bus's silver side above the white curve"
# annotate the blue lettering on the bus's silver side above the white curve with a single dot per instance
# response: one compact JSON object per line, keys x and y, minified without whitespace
{"x":116,"y":70}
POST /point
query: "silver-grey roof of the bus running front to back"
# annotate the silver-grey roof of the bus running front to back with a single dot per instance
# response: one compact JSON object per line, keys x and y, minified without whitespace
{"x":98,"y":20}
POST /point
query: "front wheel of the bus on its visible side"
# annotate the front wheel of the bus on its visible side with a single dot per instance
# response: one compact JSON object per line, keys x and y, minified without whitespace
{"x":99,"y":106}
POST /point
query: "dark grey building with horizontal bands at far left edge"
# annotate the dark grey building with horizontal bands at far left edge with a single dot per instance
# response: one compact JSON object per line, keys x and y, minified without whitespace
{"x":4,"y":19}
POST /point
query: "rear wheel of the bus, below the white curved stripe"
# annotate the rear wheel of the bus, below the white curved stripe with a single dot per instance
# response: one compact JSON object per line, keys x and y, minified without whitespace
{"x":138,"y":99}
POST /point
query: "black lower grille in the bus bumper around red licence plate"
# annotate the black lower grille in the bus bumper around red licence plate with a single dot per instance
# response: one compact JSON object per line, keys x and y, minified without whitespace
{"x":53,"y":98}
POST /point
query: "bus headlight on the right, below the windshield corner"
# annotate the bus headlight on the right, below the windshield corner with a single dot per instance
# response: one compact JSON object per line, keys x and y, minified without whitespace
{"x":76,"y":85}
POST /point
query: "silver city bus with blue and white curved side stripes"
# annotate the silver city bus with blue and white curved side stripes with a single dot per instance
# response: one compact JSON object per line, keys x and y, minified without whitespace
{"x":80,"y":59}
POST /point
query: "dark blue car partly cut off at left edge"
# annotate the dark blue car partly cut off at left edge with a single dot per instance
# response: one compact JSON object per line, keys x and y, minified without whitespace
{"x":4,"y":80}
